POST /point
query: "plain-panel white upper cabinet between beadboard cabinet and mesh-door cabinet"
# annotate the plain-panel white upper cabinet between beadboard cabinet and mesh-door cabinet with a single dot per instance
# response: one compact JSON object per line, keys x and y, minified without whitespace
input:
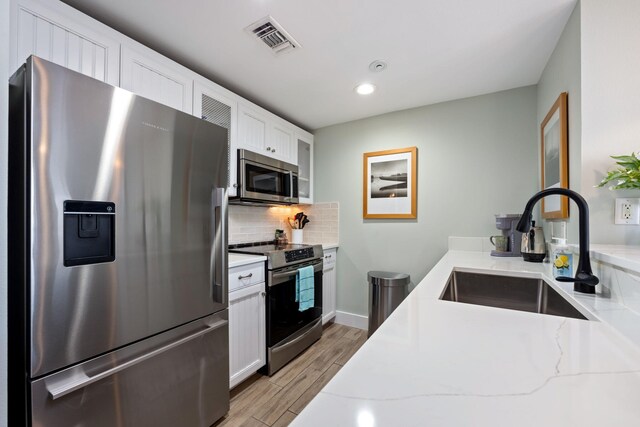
{"x":154,"y":76}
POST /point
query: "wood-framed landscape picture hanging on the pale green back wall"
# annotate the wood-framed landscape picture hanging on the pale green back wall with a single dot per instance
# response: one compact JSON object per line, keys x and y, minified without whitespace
{"x":390,"y":184}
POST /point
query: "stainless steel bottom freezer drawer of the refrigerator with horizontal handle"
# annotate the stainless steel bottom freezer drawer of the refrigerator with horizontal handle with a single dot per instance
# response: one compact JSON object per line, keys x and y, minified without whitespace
{"x":180,"y":378}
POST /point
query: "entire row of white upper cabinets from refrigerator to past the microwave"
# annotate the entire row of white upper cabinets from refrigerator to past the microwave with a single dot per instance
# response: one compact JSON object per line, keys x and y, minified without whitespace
{"x":61,"y":34}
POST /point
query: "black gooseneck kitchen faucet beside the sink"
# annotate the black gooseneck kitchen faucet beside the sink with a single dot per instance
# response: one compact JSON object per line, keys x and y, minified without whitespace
{"x":584,"y":281}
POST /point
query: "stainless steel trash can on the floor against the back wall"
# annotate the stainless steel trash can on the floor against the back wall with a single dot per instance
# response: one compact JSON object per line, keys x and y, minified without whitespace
{"x":386,"y":291}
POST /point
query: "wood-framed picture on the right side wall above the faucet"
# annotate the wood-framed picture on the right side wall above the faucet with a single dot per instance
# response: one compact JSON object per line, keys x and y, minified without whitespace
{"x":554,"y":140}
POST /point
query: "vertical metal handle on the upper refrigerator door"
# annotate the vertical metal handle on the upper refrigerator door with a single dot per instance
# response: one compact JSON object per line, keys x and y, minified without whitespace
{"x":218,"y":269}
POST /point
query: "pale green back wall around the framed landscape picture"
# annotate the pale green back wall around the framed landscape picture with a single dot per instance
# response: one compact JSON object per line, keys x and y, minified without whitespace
{"x":476,"y":157}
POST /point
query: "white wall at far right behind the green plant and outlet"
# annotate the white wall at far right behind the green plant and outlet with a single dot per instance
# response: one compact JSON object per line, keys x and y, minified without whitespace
{"x":610,"y":40}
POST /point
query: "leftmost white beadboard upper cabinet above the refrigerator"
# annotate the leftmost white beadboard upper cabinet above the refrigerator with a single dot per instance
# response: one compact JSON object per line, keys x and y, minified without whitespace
{"x":61,"y":34}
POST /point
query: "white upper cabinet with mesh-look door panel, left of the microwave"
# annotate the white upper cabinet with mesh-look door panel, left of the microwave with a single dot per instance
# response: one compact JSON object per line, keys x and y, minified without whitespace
{"x":217,"y":105}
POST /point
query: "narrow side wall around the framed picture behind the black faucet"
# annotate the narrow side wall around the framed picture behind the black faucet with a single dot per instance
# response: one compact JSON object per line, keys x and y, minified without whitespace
{"x":562,"y":74}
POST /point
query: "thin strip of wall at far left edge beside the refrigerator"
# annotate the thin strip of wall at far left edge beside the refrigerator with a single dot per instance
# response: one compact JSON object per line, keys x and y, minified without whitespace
{"x":4,"y":77}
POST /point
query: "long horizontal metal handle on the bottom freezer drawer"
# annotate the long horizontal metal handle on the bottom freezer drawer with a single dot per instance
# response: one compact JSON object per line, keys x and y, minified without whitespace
{"x":81,"y":379}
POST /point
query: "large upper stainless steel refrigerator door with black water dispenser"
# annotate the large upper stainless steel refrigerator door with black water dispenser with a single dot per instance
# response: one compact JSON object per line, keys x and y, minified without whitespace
{"x":163,"y":172}
